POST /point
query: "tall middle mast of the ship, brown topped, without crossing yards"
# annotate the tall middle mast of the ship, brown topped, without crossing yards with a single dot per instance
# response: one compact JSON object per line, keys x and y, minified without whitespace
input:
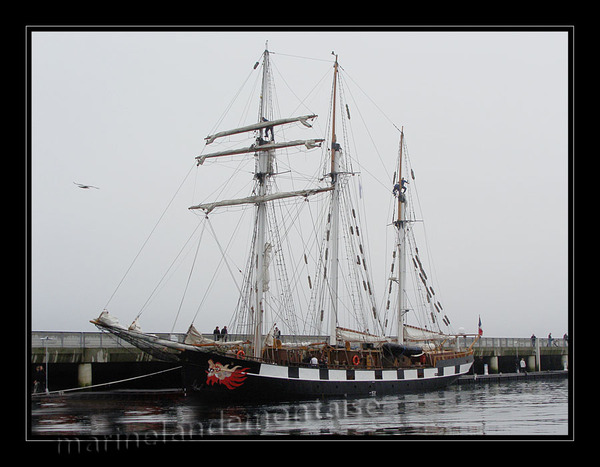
{"x":335,"y":207}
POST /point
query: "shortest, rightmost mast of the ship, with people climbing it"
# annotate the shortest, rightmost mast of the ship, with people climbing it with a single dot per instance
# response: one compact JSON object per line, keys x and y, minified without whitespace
{"x":399,"y":189}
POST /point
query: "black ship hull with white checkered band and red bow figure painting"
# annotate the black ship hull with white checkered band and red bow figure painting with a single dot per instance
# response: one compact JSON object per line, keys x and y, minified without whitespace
{"x":216,"y":376}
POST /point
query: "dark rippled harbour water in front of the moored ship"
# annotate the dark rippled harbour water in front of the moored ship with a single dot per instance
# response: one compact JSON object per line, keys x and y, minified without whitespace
{"x":510,"y":409}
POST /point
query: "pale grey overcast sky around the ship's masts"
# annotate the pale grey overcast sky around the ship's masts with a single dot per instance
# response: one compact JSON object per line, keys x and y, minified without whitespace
{"x":485,"y":116}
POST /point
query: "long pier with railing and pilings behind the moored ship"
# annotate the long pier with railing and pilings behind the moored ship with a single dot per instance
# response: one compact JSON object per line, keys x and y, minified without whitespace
{"x":79,"y":359}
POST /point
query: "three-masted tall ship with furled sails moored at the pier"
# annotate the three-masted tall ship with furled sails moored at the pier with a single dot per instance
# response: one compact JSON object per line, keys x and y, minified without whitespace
{"x":307,"y":322}
